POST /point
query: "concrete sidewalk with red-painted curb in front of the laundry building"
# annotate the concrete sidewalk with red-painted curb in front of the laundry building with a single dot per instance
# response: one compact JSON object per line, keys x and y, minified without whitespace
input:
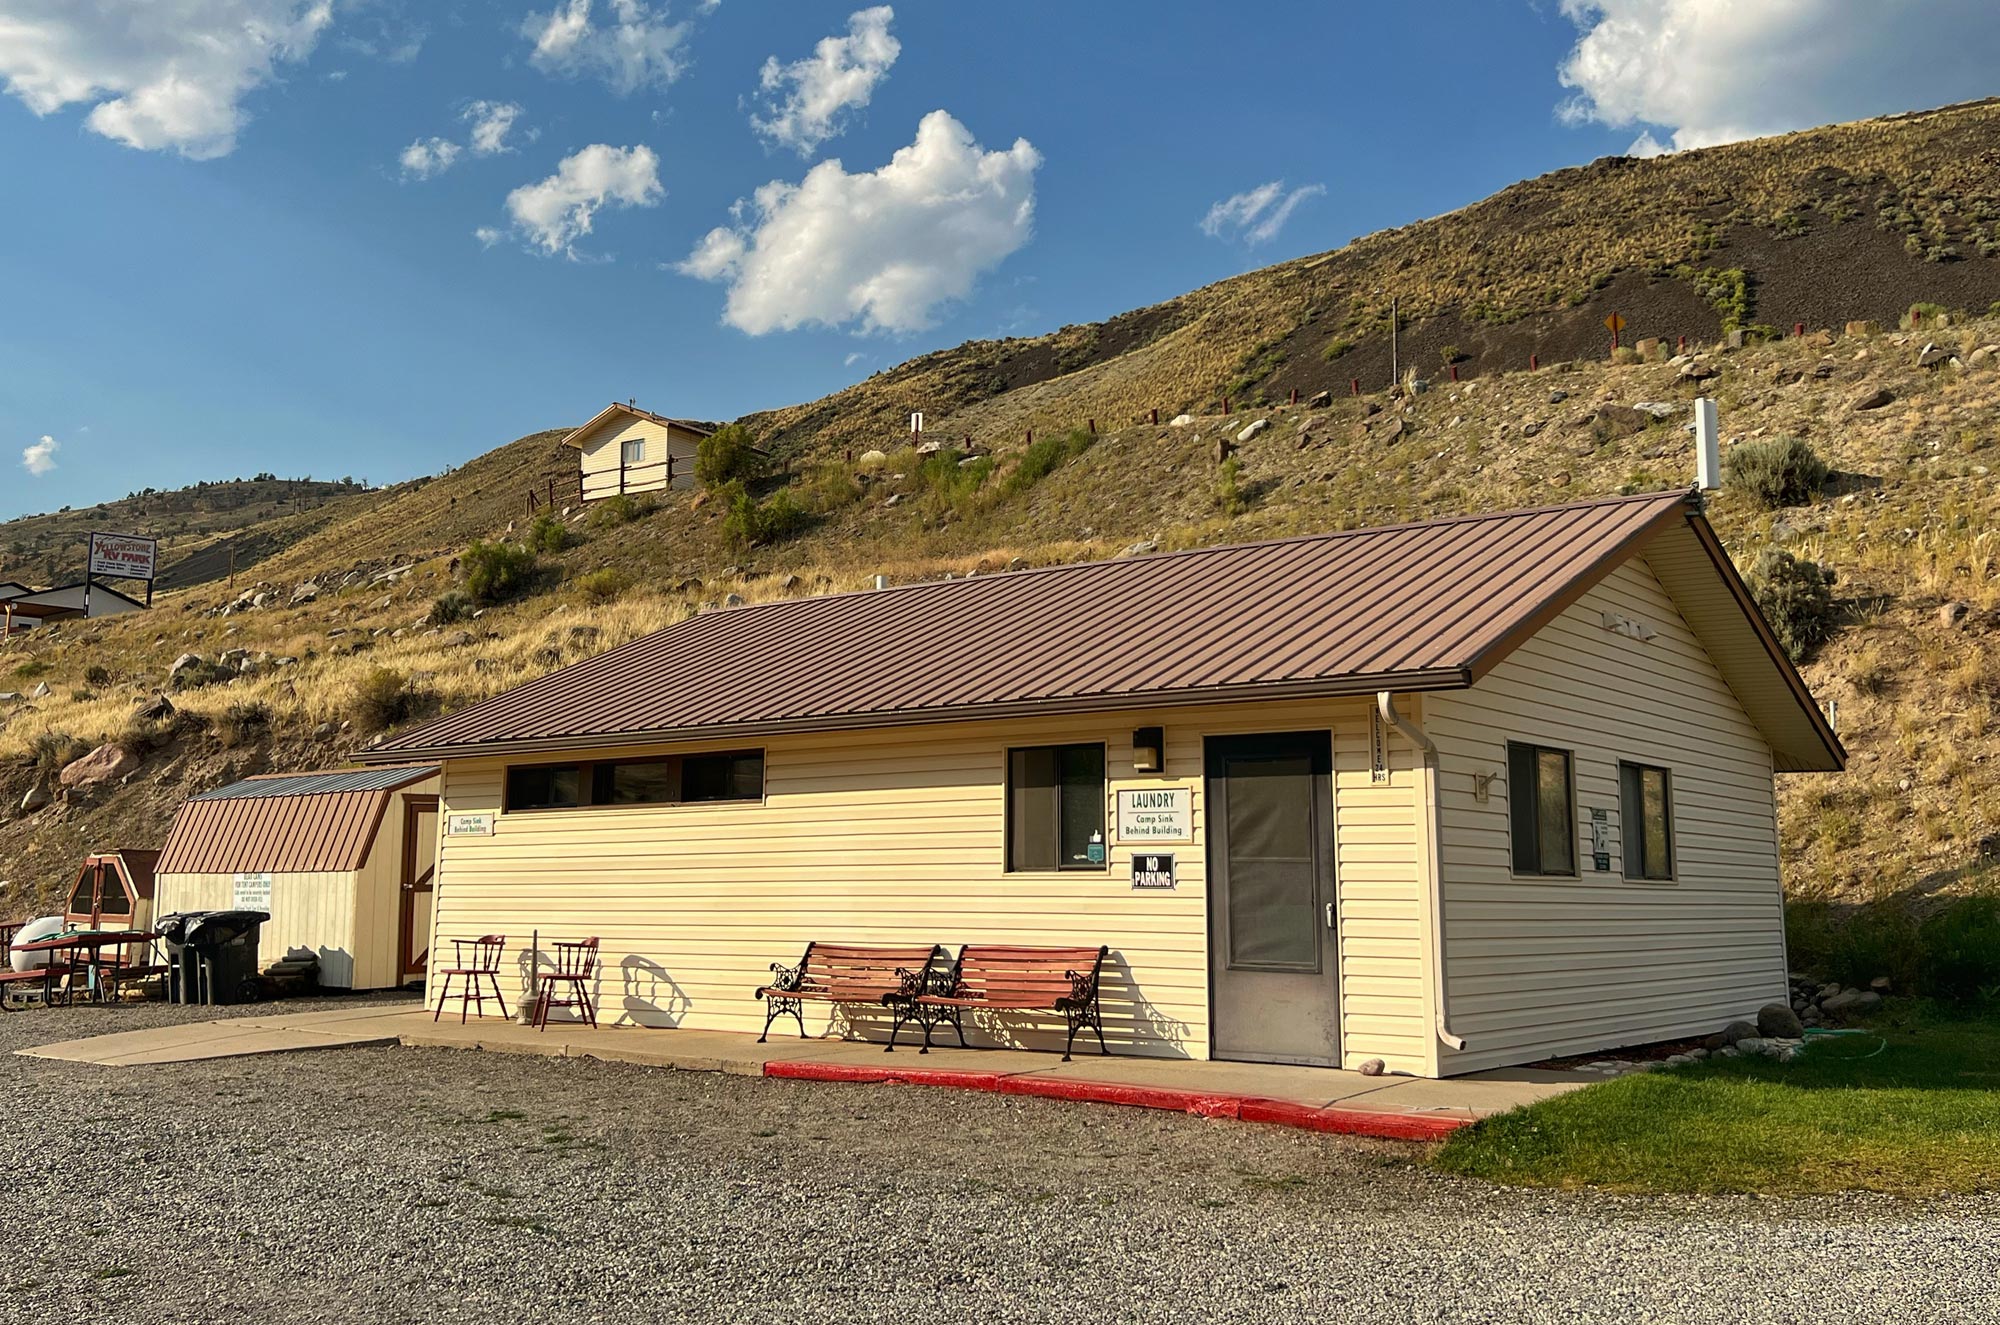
{"x":1317,"y":1098}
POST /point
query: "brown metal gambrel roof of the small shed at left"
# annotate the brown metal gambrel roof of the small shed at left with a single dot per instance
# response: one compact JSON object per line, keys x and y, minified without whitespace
{"x":233,"y":832}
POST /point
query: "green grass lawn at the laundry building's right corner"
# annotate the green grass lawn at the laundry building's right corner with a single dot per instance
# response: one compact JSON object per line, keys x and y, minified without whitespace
{"x":1911,"y":1108}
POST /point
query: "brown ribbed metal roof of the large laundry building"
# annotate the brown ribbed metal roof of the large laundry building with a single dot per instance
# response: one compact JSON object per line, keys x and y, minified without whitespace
{"x":1413,"y":607}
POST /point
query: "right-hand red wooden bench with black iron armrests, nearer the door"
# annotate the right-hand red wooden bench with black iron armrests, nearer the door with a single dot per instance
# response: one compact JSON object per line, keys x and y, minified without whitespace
{"x":1015,"y":980}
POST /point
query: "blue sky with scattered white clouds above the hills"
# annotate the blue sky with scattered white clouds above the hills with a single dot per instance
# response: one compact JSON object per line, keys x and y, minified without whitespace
{"x":381,"y":237}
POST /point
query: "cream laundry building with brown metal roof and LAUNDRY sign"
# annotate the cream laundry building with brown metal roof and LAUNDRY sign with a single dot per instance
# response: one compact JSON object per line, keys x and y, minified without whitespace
{"x":1451,"y":796}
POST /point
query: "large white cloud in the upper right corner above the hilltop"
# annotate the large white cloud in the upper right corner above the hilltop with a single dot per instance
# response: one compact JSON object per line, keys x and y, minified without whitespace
{"x":1719,"y":71}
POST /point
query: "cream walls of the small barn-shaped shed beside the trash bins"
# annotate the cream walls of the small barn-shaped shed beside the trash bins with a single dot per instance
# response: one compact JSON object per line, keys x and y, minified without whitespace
{"x":349,"y":920}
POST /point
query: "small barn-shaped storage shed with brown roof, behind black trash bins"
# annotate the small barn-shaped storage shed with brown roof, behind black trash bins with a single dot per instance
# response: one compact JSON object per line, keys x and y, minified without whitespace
{"x":343,"y":862}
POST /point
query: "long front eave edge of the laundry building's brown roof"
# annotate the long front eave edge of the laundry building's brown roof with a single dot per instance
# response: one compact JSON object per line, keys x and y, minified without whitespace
{"x":1345,"y":688}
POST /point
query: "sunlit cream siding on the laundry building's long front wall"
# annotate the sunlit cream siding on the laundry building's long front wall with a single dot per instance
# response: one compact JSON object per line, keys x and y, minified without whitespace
{"x":897,"y":836}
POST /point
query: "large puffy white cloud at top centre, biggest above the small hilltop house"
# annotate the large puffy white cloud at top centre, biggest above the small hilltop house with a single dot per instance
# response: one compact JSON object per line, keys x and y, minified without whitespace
{"x":885,"y":247}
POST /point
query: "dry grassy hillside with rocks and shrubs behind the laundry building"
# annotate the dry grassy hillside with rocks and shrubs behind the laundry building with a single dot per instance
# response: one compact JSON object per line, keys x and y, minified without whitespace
{"x":1905,"y":519}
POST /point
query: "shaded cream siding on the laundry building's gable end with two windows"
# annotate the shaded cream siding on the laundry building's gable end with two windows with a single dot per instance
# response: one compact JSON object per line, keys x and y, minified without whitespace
{"x":1575,"y":966}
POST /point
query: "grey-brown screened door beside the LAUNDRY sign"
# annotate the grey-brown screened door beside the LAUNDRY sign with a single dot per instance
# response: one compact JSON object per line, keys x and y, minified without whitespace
{"x":1271,"y":900}
